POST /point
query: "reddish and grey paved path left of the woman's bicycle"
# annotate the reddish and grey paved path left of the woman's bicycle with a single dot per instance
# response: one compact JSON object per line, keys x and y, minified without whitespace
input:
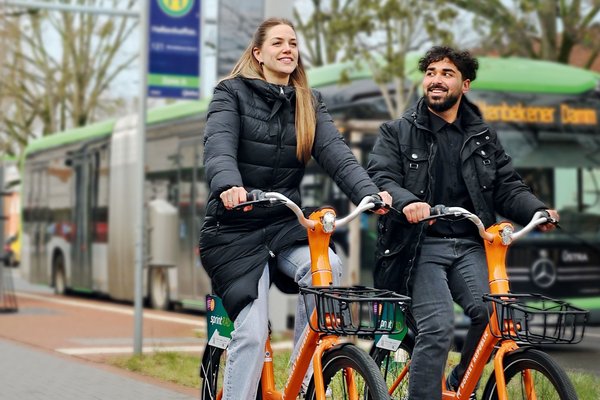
{"x":55,"y":347}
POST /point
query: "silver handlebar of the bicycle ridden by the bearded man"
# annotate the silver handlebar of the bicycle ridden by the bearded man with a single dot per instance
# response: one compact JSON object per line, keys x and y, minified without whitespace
{"x":508,"y":235}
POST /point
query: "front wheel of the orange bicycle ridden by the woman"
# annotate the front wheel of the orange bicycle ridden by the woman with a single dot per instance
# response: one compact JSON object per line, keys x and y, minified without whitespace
{"x":337,"y":361}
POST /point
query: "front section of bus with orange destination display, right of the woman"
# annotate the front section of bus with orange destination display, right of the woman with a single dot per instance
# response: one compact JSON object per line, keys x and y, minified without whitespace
{"x":547,"y":116}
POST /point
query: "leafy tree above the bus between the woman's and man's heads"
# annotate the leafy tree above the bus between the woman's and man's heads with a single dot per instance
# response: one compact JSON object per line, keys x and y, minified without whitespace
{"x":378,"y":34}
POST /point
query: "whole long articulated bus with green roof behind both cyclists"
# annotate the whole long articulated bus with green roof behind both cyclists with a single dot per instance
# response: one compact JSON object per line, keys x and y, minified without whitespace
{"x":76,"y":188}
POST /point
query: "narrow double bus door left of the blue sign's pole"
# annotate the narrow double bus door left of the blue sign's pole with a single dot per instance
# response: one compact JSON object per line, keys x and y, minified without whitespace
{"x":85,"y":168}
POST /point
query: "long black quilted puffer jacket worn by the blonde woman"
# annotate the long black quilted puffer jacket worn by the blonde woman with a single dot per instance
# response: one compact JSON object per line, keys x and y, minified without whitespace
{"x":250,"y":141}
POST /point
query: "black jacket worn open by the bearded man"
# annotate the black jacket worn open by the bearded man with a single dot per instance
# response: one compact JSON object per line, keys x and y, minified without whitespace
{"x":401,"y":163}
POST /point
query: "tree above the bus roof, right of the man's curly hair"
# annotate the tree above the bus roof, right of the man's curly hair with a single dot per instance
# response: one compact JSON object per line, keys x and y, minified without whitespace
{"x":540,"y":29}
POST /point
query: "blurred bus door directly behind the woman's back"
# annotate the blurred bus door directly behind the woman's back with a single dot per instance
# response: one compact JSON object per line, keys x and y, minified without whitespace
{"x":193,"y":283}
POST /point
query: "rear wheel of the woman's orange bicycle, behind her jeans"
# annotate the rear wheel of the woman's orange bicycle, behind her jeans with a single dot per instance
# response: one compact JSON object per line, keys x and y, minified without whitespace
{"x":212,"y":370}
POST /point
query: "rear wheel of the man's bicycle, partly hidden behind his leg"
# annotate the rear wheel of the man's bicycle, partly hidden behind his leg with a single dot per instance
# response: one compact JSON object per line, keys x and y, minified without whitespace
{"x":391,"y":365}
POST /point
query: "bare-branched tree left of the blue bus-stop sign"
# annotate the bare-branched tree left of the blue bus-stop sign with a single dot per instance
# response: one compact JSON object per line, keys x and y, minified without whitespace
{"x":58,"y":68}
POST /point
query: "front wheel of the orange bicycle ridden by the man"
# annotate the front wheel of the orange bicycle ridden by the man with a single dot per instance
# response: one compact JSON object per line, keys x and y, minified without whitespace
{"x":550,"y":380}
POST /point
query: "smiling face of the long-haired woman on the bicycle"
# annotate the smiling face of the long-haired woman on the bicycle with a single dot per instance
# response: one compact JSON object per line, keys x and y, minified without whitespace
{"x":279,"y":54}
